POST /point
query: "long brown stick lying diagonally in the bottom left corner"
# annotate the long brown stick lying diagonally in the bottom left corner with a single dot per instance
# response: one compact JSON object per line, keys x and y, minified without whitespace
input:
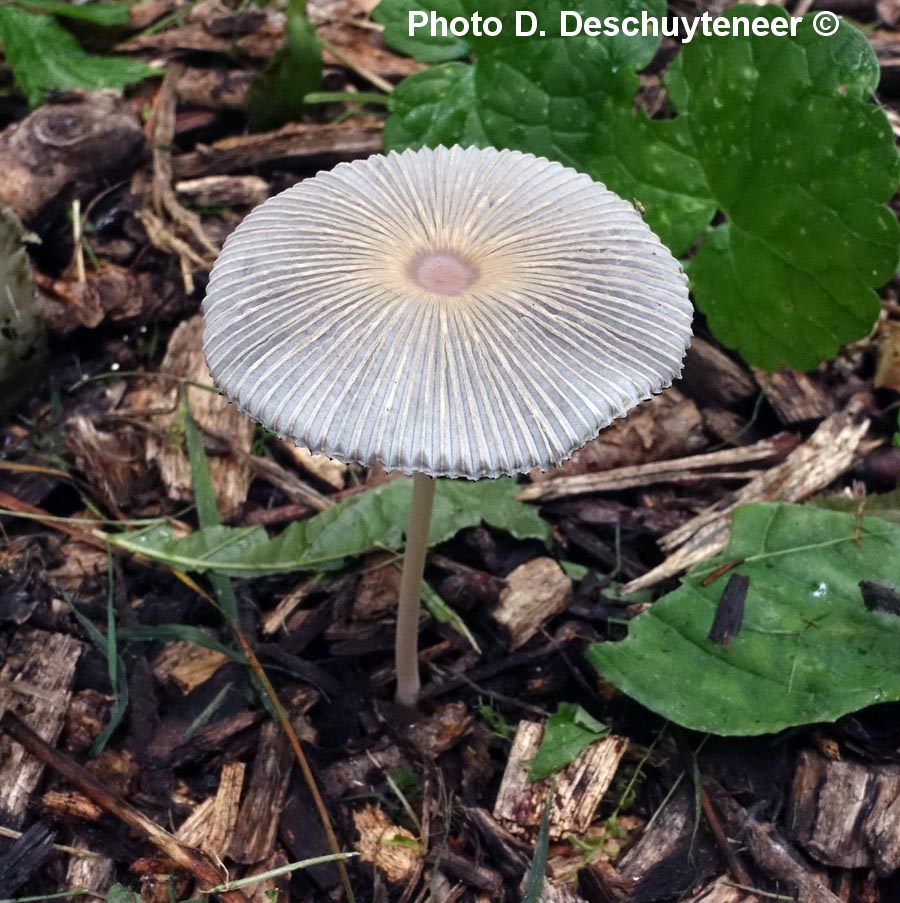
{"x":184,"y":856}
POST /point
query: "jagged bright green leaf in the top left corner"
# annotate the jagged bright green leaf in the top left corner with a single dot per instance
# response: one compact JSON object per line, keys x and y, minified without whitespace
{"x":45,"y":57}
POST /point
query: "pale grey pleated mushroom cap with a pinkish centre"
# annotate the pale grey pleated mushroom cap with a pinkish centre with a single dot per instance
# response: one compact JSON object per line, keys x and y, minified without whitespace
{"x":456,"y":312}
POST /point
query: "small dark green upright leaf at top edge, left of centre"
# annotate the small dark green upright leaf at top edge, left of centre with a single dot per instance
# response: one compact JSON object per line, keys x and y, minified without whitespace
{"x":276,"y":96}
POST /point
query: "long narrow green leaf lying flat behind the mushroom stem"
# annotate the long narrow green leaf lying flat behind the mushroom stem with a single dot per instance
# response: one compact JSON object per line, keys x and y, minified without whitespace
{"x":375,"y":519}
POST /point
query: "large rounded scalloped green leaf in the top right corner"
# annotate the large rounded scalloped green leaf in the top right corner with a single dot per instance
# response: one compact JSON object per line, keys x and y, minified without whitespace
{"x":802,"y":165}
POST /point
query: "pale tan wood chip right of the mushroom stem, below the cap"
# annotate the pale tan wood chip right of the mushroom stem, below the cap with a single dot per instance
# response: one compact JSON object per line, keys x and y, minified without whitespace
{"x":535,"y":592}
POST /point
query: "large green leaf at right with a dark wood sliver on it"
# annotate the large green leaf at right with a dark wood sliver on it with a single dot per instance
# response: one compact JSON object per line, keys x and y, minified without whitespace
{"x":808,"y":649}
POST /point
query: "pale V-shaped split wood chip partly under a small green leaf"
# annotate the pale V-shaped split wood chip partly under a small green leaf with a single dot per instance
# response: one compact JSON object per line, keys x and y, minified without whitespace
{"x":579,"y":788}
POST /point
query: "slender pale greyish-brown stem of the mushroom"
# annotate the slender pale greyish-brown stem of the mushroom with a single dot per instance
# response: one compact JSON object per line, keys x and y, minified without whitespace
{"x":407,"y":647}
